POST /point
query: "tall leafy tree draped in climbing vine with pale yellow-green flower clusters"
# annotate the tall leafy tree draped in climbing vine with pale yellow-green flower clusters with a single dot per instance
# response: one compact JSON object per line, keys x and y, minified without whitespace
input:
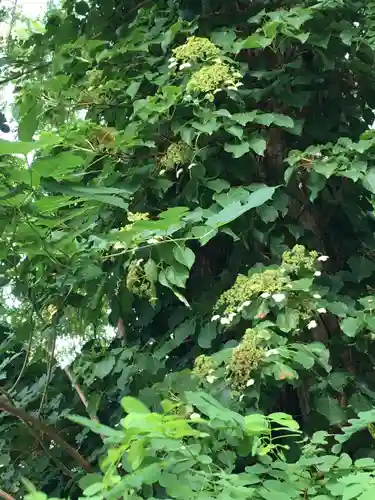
{"x":214,"y":205}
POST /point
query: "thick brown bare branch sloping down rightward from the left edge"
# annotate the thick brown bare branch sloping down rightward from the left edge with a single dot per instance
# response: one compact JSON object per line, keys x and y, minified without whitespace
{"x":25,"y":417}
